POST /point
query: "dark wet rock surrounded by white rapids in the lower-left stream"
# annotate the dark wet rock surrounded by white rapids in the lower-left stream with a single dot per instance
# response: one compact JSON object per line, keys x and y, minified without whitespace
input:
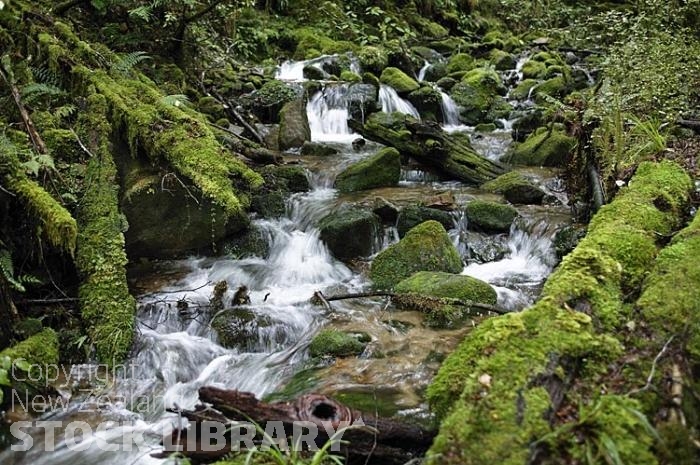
{"x":239,"y":328}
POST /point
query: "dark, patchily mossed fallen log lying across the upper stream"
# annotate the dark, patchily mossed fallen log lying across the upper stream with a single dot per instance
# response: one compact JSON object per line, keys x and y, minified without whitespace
{"x":428,"y":144}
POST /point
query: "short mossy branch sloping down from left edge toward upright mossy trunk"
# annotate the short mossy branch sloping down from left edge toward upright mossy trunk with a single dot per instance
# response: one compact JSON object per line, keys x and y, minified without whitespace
{"x":58,"y":225}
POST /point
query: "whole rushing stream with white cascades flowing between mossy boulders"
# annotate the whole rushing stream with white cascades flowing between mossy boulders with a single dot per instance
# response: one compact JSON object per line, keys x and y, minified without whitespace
{"x":176,"y":350}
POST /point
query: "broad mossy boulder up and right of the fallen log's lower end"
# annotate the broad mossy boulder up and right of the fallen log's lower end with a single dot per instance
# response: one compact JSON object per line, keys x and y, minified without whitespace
{"x":543,"y":148}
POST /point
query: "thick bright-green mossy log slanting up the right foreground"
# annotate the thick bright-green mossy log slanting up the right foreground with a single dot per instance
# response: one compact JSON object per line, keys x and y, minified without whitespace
{"x":500,"y":395}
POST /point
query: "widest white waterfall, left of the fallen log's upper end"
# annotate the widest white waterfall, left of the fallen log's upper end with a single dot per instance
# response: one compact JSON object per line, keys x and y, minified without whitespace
{"x":327,"y":112}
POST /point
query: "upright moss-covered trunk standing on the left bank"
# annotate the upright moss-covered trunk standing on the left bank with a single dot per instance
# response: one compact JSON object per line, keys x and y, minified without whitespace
{"x":105,"y":302}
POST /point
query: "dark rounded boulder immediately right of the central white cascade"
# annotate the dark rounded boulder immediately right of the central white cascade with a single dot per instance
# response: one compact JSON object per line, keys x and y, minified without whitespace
{"x":350,"y":232}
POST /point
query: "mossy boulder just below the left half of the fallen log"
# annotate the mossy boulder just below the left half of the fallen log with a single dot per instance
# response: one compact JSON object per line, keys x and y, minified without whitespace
{"x":380,"y":170}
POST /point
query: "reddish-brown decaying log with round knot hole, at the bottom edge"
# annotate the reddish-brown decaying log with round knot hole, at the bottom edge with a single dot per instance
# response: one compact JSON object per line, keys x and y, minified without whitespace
{"x":382,"y":441}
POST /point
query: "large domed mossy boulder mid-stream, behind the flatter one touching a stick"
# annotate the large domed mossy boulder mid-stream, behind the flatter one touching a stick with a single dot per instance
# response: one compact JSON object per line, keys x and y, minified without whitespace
{"x":426,"y":247}
